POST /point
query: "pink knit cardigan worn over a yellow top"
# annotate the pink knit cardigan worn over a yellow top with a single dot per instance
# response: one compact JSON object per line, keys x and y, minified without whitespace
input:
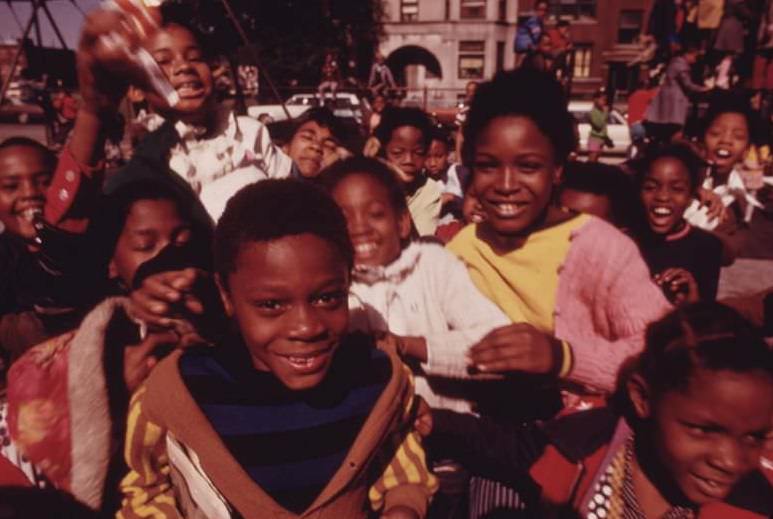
{"x":604,"y":302}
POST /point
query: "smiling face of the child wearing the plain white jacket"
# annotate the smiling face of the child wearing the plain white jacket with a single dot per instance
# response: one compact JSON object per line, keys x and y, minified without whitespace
{"x":375,"y":227}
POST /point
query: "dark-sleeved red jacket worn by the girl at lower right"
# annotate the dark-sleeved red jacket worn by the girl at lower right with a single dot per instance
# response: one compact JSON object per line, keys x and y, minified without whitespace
{"x":563,"y":459}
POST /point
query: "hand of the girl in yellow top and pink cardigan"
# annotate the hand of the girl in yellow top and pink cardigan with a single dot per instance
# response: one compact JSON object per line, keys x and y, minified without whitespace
{"x":516,"y":347}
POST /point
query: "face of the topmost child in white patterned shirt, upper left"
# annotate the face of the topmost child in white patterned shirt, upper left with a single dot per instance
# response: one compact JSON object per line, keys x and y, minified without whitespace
{"x":178,"y":54}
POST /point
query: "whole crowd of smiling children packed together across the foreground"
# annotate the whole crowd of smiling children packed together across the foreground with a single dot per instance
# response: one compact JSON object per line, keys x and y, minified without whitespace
{"x":233,"y":327}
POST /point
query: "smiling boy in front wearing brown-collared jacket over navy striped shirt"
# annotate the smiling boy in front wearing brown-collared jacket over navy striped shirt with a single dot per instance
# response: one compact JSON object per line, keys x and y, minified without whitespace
{"x":293,"y":417}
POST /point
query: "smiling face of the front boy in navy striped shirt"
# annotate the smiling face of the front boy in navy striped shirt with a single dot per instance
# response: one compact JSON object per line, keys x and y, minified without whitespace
{"x":289,"y":299}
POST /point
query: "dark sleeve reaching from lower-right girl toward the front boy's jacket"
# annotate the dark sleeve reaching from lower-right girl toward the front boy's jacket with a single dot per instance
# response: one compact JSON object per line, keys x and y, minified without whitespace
{"x":485,"y":448}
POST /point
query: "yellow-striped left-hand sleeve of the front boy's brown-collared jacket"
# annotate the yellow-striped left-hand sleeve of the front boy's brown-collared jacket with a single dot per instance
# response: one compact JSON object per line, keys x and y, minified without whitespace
{"x":147,"y":488}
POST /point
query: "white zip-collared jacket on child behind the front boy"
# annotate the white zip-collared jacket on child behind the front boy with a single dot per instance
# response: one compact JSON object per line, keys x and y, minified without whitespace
{"x":428,"y":293}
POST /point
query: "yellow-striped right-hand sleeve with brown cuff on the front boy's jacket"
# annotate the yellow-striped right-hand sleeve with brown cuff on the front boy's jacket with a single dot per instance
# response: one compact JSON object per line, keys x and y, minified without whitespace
{"x":406,"y":481}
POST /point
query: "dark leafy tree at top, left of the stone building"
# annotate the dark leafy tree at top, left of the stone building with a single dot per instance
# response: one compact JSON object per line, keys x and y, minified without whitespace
{"x":291,"y":36}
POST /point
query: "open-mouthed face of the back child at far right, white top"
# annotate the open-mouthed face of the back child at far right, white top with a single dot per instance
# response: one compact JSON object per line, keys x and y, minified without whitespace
{"x":726,"y":140}
